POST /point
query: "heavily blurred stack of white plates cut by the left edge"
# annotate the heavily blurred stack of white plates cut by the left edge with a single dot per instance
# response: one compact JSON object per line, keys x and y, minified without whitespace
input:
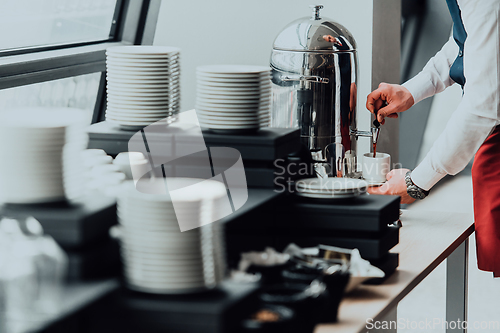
{"x":40,"y":149}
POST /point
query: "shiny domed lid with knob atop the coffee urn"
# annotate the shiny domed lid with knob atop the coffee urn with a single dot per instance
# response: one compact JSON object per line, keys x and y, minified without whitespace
{"x":315,"y":34}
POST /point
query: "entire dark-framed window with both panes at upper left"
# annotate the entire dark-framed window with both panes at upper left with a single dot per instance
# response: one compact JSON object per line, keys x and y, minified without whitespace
{"x":52,"y":52}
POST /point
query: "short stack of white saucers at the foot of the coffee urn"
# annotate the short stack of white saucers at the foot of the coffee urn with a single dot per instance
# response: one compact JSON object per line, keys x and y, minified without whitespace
{"x":330,"y":188}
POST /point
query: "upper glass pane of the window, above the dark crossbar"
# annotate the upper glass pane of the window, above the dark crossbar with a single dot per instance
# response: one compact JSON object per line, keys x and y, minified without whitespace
{"x":26,"y":23}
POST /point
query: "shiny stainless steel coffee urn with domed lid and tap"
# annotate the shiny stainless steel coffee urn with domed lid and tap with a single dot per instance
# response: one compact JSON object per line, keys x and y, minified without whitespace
{"x":314,"y":78}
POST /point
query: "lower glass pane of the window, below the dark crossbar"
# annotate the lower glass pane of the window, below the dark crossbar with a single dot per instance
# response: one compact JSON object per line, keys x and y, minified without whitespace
{"x":76,"y":92}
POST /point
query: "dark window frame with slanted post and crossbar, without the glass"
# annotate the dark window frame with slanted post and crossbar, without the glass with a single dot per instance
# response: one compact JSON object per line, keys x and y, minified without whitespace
{"x":134,"y":23}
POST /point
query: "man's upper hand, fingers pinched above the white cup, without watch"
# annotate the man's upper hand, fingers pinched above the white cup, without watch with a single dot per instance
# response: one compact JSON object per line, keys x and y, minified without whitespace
{"x":397,"y":97}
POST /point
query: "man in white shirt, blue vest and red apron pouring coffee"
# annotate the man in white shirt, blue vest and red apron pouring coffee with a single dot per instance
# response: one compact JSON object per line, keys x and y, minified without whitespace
{"x":470,"y":58}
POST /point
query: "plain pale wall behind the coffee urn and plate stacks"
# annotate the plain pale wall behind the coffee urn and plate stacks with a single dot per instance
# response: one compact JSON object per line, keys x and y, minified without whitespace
{"x":242,"y":32}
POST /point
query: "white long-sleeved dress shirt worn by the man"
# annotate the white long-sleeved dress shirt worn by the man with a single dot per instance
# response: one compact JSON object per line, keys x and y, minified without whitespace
{"x":479,"y":111}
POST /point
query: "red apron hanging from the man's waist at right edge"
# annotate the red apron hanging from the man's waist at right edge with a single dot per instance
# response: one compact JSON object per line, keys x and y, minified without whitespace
{"x":486,"y":188}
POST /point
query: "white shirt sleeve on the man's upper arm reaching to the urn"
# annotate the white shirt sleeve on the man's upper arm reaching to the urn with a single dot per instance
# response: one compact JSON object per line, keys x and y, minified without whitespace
{"x":435,"y":77}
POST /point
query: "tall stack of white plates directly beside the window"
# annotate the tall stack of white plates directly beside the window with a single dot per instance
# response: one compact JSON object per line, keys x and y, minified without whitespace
{"x":142,"y":85}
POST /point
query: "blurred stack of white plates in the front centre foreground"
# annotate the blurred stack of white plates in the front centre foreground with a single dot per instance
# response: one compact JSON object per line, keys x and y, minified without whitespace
{"x":157,"y":256}
